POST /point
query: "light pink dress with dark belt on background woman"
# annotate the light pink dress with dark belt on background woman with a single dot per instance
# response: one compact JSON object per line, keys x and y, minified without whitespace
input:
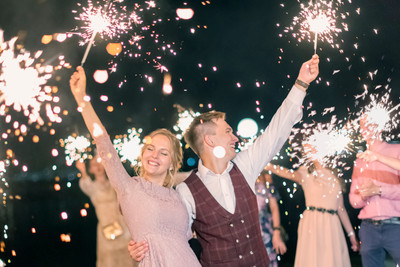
{"x":321,"y":240}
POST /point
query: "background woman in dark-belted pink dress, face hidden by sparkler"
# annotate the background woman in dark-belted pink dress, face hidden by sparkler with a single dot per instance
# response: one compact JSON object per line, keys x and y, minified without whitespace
{"x":321,"y":241}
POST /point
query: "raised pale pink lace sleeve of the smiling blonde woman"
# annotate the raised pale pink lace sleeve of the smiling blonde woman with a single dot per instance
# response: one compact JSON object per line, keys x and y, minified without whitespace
{"x":116,"y":172}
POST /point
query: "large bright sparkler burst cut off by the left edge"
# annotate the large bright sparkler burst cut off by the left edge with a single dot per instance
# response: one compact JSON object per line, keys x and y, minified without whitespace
{"x":23,"y":82}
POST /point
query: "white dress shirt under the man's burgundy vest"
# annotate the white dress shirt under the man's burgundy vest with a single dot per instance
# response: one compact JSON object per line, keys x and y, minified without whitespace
{"x":251,"y":161}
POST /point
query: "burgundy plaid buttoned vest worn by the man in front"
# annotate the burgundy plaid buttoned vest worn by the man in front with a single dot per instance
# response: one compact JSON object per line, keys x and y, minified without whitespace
{"x":229,"y":240}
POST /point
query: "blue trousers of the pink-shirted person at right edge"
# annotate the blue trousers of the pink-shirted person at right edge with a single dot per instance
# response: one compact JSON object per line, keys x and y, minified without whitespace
{"x":375,"y":240}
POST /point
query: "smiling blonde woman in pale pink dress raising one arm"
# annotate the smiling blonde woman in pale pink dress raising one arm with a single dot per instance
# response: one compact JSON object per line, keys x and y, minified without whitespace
{"x":152,"y":209}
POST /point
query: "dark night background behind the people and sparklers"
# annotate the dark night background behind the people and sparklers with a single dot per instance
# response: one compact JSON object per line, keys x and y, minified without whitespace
{"x":240,"y":38}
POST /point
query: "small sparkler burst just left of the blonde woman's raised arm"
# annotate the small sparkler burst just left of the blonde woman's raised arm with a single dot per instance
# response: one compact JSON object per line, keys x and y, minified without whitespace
{"x":76,"y":148}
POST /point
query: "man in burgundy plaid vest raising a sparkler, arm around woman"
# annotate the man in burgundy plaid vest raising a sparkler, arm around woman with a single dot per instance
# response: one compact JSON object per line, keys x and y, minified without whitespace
{"x":220,"y":194}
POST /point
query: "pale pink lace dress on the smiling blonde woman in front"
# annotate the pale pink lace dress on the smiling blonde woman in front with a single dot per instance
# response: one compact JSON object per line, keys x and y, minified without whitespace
{"x":152,"y":212}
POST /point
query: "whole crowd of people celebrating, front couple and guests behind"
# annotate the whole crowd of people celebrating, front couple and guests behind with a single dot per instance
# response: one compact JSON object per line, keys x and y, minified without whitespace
{"x":229,"y":202}
